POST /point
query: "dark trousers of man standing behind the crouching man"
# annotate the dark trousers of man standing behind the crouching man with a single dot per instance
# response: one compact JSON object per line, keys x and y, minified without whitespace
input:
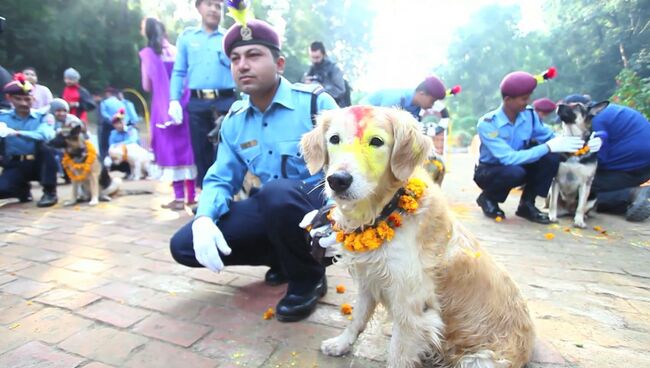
{"x":203,"y":114}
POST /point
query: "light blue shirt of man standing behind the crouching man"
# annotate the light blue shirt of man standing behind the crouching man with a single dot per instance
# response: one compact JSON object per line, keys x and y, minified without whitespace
{"x":200,"y":59}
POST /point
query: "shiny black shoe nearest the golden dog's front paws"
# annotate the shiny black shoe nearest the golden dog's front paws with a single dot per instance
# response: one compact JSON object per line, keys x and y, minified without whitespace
{"x":295,"y":307}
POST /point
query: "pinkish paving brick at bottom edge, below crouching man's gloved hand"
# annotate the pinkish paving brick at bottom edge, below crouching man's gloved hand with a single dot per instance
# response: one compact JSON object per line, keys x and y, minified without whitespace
{"x":159,"y":355}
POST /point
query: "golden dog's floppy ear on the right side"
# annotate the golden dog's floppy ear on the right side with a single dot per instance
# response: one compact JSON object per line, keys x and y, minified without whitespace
{"x":411,"y":148}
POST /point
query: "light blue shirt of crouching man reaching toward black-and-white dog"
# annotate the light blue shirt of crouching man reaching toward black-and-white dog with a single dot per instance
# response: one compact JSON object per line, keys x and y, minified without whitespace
{"x":504,"y":143}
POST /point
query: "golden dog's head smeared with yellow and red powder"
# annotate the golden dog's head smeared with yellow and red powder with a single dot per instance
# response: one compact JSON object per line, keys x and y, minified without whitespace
{"x":364,"y":150}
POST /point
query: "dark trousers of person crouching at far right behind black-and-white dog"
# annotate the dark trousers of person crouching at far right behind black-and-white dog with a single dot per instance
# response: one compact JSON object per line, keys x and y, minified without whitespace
{"x":613,"y":189}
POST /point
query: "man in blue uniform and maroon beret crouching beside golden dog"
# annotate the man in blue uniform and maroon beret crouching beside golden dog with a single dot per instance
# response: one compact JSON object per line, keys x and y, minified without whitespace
{"x":261,"y":134}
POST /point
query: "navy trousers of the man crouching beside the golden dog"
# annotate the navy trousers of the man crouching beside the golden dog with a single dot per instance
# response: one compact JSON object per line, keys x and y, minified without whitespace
{"x":263,"y":231}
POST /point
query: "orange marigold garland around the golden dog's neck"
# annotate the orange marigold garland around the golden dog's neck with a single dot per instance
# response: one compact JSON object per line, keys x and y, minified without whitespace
{"x":373,"y":237}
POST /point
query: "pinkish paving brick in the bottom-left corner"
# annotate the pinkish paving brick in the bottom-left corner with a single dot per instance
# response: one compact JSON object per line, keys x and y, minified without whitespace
{"x":35,"y":354}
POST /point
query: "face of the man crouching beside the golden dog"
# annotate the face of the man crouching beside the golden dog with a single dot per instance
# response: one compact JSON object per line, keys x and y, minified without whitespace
{"x":254,"y":69}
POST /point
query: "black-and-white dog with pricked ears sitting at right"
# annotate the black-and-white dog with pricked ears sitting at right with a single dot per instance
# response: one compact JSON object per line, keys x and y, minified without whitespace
{"x":571,"y":186}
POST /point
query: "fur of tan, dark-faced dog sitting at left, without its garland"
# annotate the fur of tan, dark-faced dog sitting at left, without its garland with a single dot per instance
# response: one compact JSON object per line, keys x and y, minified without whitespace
{"x":75,"y":146}
